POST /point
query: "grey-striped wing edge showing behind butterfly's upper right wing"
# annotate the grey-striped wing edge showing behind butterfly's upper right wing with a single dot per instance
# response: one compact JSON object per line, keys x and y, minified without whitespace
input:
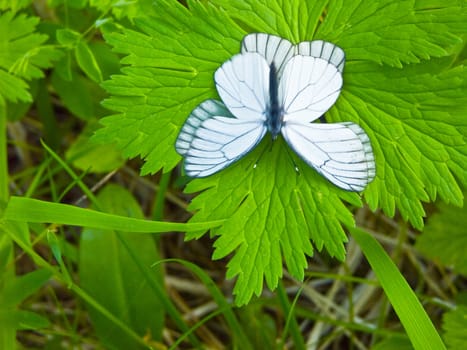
{"x":324,"y":50}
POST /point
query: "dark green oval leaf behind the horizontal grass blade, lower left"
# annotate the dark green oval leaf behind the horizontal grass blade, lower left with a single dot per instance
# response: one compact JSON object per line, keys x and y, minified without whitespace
{"x":110,"y":275}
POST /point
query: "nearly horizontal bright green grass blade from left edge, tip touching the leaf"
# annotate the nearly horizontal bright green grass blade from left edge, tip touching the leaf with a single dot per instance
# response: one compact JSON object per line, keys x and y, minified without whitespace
{"x":33,"y":210}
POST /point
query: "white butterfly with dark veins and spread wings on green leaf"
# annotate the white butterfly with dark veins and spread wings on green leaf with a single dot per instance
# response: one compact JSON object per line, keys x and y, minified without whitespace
{"x":275,"y":86}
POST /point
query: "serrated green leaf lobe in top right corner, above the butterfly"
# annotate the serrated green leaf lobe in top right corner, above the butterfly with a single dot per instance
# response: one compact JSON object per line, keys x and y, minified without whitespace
{"x":394,"y":32}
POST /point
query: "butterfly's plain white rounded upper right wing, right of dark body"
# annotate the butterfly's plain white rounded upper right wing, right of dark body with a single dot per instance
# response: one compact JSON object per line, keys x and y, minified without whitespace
{"x":309,"y":86}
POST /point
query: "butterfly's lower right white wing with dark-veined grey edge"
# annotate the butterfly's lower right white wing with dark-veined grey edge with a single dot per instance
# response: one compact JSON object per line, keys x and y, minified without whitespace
{"x":341,"y":152}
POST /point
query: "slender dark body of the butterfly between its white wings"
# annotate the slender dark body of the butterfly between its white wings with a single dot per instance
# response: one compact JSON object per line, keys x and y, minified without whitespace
{"x":274,"y":112}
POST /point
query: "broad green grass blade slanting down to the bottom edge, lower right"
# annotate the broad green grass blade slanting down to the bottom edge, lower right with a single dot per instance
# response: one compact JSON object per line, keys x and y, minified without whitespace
{"x":416,"y":322}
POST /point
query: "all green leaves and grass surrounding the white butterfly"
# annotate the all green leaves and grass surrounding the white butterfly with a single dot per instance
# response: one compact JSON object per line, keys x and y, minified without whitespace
{"x":93,"y":204}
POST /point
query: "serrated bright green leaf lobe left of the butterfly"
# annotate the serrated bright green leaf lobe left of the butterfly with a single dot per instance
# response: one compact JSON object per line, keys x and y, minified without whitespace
{"x":166,"y":79}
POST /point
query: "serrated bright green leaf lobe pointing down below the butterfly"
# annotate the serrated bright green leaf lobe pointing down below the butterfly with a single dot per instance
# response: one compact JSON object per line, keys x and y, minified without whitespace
{"x":272,"y":212}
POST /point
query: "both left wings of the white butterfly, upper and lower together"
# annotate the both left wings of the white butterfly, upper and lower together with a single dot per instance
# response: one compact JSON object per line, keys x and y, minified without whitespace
{"x":217,"y":134}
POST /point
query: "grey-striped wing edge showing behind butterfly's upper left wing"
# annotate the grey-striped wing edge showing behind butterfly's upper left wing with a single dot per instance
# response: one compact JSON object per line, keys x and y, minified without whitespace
{"x":273,"y":48}
